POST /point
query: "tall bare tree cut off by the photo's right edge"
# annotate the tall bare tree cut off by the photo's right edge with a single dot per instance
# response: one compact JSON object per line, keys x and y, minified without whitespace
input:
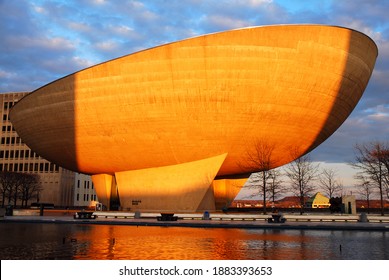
{"x":370,"y":159}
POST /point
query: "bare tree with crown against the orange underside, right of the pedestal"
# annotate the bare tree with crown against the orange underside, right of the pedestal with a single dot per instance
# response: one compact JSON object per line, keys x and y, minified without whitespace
{"x":260,"y":160}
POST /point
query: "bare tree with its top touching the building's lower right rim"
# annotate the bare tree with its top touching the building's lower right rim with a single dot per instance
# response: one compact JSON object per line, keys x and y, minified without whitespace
{"x":301,"y":173}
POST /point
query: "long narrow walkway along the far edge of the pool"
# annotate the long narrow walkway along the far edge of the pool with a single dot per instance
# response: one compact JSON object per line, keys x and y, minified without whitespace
{"x":234,"y":221}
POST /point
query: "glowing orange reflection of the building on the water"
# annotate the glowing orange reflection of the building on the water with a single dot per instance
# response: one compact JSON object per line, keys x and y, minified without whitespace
{"x":173,"y":243}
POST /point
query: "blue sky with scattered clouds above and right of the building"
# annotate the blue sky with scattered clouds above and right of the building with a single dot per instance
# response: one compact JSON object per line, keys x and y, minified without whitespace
{"x":42,"y":41}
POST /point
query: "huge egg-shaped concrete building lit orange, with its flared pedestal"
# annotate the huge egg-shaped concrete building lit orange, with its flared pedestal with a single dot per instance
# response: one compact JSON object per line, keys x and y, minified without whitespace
{"x":156,"y":127}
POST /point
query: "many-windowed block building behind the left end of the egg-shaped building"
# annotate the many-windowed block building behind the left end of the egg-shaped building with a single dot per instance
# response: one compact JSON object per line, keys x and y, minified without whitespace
{"x":59,"y":185}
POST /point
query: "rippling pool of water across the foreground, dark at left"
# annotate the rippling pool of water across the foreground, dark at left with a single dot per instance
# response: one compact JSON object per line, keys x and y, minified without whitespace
{"x":113,"y":242}
